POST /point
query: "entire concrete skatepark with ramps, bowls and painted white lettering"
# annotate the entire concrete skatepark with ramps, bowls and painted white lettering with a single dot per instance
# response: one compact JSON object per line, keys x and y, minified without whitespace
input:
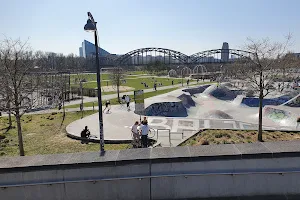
{"x":179,"y":112}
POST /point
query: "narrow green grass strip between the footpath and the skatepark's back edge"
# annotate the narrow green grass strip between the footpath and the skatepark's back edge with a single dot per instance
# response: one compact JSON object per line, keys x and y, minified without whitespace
{"x":115,"y":100}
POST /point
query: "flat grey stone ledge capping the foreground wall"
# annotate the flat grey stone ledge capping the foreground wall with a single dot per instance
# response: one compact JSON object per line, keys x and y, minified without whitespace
{"x":155,"y":155}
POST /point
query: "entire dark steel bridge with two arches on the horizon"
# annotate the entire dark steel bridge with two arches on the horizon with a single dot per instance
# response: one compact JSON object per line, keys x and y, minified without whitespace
{"x":145,"y":56}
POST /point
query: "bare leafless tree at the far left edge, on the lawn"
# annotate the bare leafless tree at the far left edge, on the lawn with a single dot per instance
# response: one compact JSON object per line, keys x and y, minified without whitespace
{"x":16,"y":61}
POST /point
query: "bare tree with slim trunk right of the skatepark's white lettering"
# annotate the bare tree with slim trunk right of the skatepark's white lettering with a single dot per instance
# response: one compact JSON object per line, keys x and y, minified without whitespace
{"x":262,"y":67}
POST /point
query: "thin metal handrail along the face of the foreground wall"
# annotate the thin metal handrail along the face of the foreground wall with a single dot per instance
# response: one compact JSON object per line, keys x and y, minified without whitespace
{"x":150,"y":176}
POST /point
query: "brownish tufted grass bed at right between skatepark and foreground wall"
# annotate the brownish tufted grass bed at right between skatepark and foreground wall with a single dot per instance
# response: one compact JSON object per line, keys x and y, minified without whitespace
{"x":237,"y":136}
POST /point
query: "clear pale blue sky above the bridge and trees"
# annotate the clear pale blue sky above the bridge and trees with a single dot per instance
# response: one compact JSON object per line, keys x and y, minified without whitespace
{"x":188,"y":26}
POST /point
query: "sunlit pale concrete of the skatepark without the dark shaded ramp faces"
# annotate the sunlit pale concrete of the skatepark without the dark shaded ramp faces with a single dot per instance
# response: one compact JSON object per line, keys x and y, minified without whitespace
{"x":204,"y":112}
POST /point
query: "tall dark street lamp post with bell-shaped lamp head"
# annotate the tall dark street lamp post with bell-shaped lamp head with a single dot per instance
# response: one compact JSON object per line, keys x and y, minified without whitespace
{"x":91,"y":27}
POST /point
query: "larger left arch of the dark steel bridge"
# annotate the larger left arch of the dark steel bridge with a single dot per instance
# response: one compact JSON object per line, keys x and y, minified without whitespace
{"x":152,"y":54}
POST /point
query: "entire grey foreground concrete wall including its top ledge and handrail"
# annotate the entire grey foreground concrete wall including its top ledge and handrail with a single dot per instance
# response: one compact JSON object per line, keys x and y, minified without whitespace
{"x":161,"y":173}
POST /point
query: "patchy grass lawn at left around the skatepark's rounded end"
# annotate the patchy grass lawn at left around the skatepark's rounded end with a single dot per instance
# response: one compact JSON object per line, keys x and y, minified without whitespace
{"x":43,"y":134}
